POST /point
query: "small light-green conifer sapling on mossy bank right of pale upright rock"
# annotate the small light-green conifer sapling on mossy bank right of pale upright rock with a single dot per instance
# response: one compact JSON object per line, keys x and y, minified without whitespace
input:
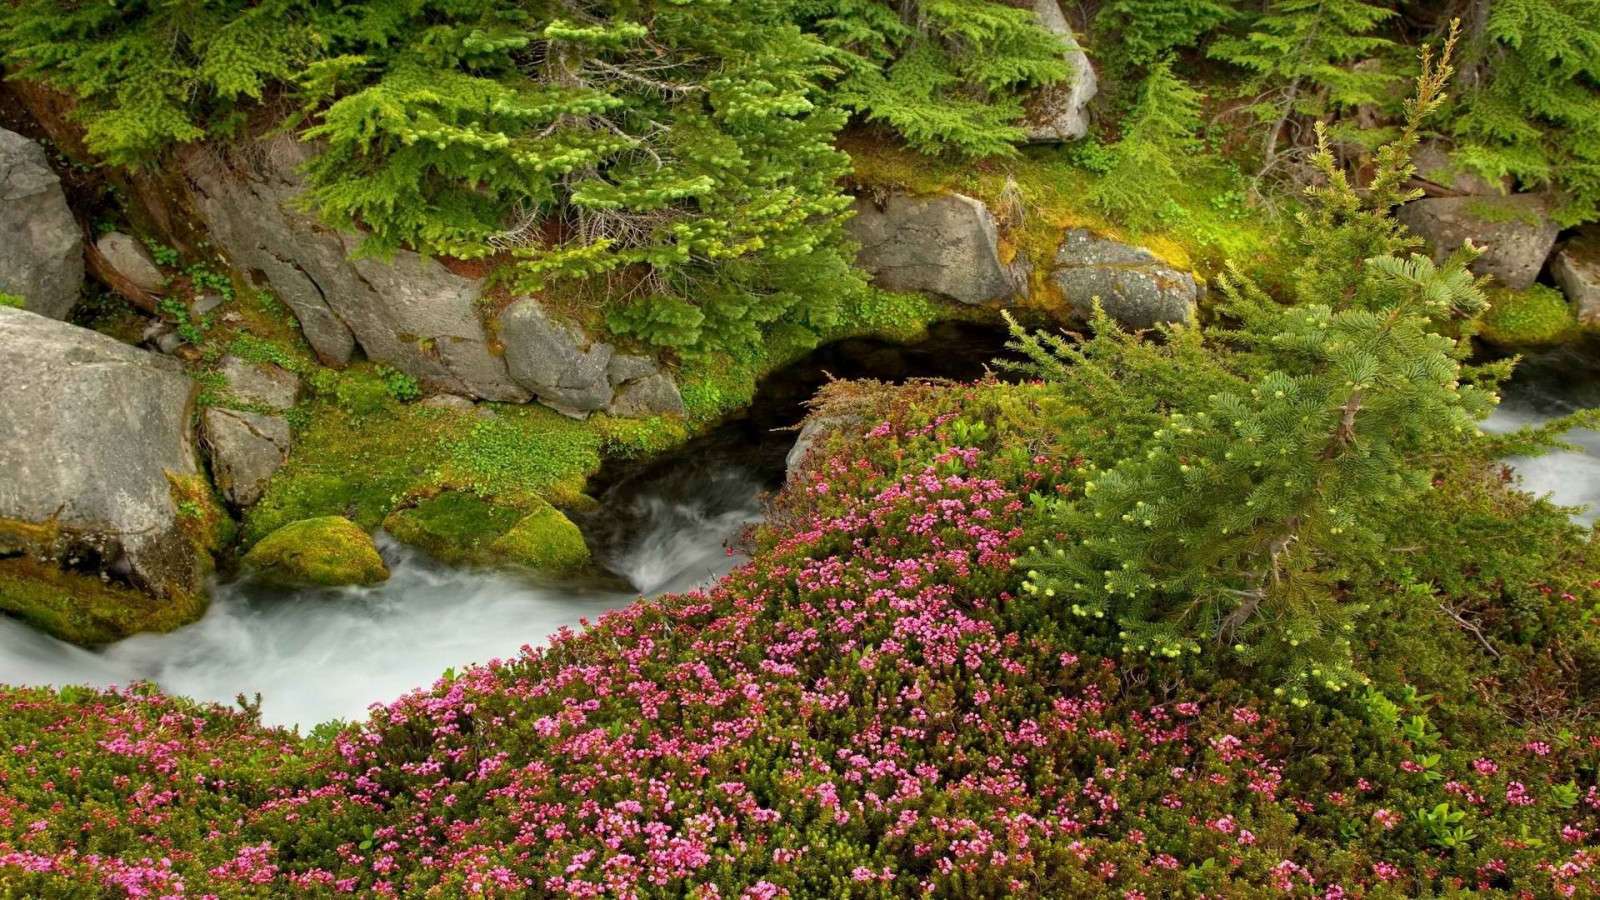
{"x":1150,"y":161}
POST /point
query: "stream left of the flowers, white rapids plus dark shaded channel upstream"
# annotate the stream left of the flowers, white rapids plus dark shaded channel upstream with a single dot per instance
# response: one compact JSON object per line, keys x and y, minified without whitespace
{"x":663,"y":526}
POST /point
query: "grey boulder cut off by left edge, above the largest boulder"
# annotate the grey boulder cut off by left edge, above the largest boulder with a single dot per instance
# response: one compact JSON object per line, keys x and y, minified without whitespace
{"x":41,"y":244}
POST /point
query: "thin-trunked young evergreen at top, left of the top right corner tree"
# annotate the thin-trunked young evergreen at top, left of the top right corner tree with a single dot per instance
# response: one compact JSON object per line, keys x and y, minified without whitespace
{"x":1310,"y":58}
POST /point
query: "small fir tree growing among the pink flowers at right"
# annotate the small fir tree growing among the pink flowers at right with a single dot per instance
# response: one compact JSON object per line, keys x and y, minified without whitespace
{"x":1271,"y":457}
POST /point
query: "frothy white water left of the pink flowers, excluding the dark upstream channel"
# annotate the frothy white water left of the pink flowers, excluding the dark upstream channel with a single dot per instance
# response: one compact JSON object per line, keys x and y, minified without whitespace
{"x":318,"y":656}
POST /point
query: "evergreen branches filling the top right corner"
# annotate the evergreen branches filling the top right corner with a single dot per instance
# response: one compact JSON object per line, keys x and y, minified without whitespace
{"x":1534,"y":103}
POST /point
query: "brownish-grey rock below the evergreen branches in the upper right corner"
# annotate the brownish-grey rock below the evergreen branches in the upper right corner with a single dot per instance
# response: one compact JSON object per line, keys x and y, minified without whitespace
{"x":1516,"y":233}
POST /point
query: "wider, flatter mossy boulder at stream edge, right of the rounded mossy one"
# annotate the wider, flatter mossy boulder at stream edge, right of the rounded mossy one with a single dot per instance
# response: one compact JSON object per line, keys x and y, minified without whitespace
{"x":465,"y":529}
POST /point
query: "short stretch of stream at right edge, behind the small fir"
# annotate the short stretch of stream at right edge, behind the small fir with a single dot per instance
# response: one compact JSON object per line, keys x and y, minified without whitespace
{"x":1545,"y":388}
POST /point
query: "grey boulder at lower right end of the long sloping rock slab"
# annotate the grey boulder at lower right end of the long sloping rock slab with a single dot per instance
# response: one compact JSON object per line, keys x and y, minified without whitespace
{"x":554,"y":361}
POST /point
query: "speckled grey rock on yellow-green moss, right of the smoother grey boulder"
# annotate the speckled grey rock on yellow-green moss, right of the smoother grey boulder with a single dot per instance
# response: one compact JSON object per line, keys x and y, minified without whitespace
{"x":1134,"y":286}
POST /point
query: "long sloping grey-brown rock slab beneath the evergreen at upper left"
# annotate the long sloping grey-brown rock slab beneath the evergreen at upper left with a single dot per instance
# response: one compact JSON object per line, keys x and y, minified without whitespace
{"x":407,"y":311}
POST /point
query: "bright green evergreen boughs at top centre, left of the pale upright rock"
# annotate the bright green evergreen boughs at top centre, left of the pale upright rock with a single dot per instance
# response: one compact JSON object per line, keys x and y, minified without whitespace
{"x":945,"y":74}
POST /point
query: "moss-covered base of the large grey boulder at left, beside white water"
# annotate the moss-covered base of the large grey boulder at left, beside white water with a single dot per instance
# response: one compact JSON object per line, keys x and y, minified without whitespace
{"x":82,"y":609}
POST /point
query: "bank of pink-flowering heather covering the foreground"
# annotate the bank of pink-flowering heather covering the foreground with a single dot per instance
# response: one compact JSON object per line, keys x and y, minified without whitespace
{"x":860,"y":712}
